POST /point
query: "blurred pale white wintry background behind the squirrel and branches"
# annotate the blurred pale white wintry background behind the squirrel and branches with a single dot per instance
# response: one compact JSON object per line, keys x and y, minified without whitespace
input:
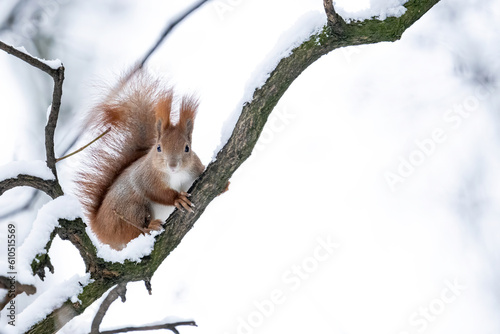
{"x":370,"y":203}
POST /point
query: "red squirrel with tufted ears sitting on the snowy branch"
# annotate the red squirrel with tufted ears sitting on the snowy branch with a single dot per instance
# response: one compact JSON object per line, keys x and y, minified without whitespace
{"x":138,"y":172}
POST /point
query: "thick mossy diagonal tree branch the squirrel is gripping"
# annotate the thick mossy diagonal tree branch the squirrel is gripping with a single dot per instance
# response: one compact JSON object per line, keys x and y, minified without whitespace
{"x":238,"y":148}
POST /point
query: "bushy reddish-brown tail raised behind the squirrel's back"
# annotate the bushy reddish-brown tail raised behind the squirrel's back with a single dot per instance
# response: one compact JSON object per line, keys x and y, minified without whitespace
{"x":128,"y":113}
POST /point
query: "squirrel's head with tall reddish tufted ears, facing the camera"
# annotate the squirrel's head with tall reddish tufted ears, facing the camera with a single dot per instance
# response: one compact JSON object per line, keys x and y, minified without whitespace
{"x":173,"y":151}
